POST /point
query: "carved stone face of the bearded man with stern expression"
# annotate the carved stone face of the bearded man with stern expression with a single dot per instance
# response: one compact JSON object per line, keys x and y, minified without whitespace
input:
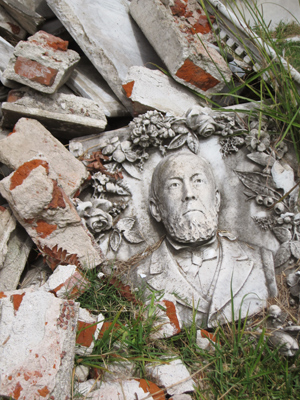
{"x":188,"y":201}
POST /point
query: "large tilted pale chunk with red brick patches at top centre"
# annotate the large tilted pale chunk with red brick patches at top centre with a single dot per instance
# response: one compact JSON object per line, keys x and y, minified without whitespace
{"x":174,"y":31}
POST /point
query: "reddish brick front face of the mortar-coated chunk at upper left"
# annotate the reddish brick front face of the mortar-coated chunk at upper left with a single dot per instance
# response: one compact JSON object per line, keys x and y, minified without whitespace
{"x":34,"y":71}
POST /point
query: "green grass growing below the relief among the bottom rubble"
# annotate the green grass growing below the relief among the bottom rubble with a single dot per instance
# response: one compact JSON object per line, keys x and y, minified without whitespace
{"x":242,"y":366}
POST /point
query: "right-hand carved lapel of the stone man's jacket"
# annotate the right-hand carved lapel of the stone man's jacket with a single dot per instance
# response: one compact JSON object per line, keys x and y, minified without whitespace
{"x":234,"y":271}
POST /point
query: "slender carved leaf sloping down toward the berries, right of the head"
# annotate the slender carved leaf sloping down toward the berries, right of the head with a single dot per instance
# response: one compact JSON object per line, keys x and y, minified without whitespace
{"x":258,"y":183}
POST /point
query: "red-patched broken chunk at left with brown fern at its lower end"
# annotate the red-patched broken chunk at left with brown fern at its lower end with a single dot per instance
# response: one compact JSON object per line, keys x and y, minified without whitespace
{"x":48,"y":215}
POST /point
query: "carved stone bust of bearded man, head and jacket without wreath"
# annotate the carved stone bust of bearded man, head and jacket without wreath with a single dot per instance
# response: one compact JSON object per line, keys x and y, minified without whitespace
{"x":204,"y":268}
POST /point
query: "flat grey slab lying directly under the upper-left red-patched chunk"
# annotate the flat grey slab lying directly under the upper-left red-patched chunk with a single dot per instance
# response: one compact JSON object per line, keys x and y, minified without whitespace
{"x":64,"y":115}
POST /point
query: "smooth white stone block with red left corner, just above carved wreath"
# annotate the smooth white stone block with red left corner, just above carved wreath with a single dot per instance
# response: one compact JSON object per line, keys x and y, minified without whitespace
{"x":152,"y":89}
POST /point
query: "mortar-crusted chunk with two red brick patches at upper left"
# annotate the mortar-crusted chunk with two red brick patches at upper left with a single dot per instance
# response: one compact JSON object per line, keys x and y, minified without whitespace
{"x":43,"y":62}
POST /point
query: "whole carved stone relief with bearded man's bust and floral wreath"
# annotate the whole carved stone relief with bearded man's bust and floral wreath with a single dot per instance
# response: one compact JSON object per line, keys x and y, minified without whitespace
{"x":220,"y":210}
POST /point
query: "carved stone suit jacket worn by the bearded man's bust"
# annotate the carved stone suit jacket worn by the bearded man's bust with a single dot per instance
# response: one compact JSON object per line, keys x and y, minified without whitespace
{"x":246,"y":274}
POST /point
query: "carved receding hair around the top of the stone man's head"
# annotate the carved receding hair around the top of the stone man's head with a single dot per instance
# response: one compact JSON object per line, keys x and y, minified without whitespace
{"x":163,"y":164}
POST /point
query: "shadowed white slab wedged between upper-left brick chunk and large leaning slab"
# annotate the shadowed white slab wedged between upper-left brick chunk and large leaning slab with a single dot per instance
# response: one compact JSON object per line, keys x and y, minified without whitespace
{"x":86,"y":81}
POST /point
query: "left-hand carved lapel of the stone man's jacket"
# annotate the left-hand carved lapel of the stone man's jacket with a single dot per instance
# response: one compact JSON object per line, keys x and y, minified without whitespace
{"x":166,"y":276}
